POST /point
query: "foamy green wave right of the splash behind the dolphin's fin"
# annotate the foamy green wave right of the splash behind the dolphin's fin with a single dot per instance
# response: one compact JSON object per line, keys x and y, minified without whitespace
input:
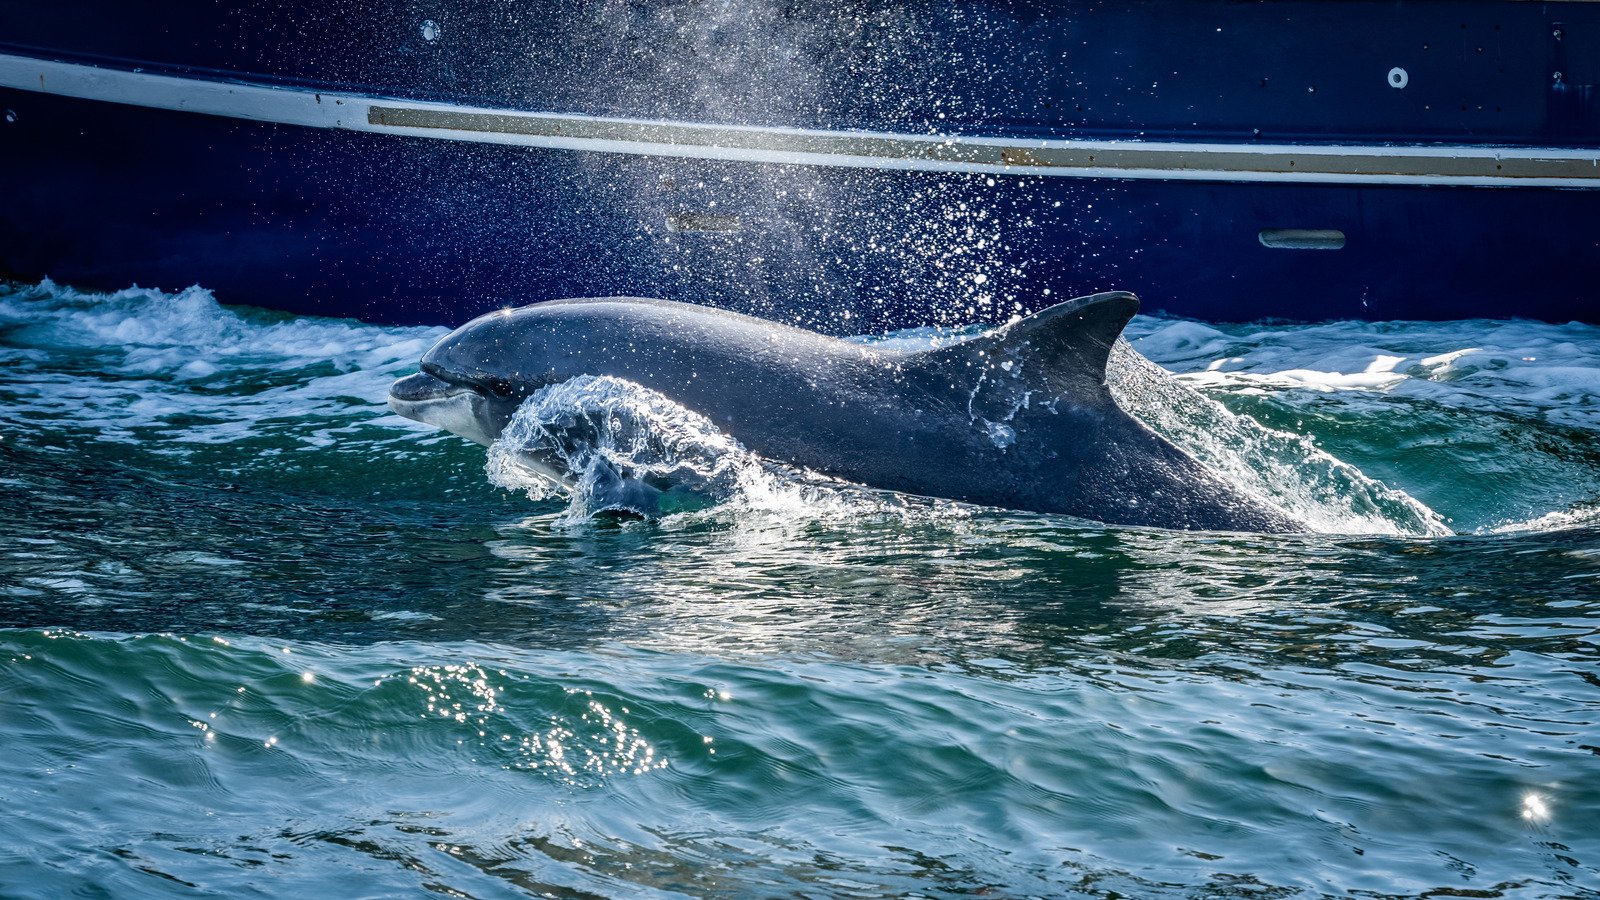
{"x":1516,"y":403}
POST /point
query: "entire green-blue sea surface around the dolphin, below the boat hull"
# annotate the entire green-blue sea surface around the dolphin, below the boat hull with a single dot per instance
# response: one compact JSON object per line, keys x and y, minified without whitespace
{"x":260,"y":637}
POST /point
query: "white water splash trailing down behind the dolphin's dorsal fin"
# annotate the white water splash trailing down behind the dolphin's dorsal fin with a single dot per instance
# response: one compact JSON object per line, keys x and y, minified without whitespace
{"x":1286,"y":470}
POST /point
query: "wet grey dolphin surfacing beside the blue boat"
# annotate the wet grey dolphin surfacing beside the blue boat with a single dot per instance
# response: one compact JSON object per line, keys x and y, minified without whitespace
{"x":1018,"y":419}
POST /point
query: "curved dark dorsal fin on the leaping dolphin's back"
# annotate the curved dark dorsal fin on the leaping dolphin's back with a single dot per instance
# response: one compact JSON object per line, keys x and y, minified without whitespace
{"x":1068,"y":344}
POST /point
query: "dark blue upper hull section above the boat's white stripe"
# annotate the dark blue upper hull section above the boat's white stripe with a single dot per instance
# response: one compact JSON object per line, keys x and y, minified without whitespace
{"x":1478,"y":71}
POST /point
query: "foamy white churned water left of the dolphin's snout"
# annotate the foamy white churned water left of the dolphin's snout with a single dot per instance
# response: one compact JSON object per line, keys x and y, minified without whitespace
{"x":186,"y":371}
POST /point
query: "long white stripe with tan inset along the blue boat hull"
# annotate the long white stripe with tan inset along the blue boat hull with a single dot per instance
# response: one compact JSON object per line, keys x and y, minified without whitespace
{"x":1535,"y":167}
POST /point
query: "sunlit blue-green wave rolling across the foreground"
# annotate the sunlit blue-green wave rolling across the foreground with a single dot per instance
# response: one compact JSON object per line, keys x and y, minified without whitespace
{"x":484,"y":769}
